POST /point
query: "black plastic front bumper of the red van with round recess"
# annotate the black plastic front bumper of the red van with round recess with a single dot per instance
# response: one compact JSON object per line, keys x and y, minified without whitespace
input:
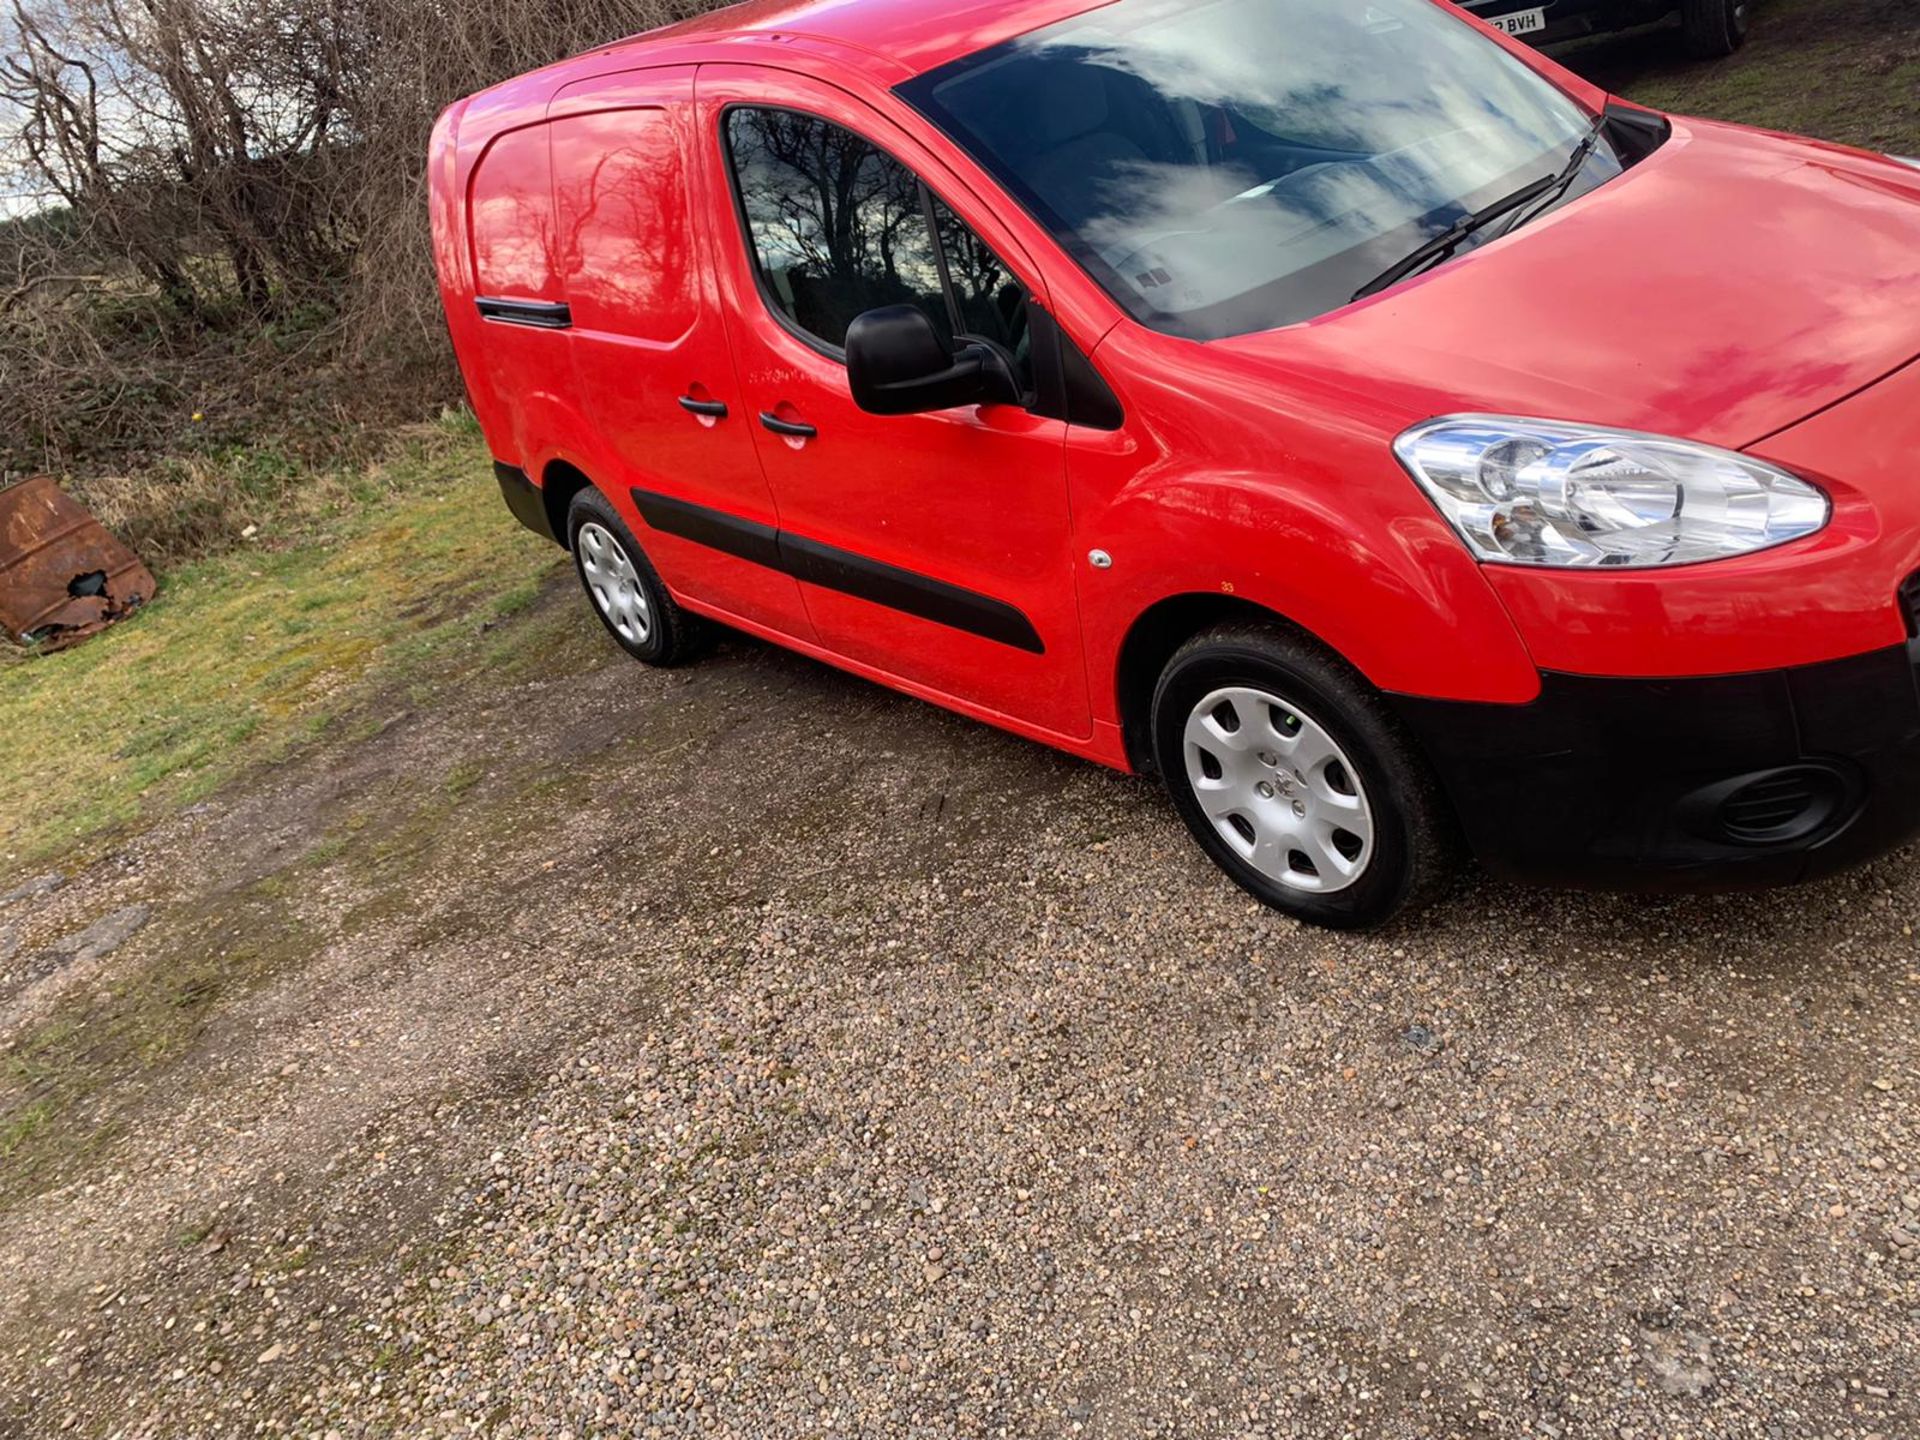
{"x":1725,"y":782}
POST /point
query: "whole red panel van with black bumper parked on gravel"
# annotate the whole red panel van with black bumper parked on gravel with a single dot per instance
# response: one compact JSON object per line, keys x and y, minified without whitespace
{"x":1349,"y":416}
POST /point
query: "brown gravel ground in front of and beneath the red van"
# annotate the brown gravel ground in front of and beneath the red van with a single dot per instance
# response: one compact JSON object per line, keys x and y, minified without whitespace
{"x":748,"y":1051}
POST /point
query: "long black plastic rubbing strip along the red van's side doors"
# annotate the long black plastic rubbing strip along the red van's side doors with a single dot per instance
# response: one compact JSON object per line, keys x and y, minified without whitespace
{"x":844,"y":571}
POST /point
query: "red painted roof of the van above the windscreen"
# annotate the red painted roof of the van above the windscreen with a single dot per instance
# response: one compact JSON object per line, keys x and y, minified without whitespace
{"x":917,"y":36}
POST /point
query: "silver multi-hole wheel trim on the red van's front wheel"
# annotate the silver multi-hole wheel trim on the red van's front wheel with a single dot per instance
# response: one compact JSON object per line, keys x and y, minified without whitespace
{"x":1278,"y":790}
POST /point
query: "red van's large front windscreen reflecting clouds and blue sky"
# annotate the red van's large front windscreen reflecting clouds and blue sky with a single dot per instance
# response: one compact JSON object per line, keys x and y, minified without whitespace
{"x":1245,"y":164}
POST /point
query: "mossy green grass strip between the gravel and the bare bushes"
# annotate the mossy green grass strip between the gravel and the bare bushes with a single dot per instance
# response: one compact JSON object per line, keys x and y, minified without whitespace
{"x":251,"y":656}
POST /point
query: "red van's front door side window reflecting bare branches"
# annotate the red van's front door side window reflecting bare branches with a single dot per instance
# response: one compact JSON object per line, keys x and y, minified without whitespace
{"x":840,"y":228}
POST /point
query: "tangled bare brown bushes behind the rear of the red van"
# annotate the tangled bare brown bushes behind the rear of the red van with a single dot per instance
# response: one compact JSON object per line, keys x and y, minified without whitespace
{"x":233,"y":210}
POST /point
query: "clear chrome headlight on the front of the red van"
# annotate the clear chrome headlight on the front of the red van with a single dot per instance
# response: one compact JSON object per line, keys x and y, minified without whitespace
{"x":1543,"y":492}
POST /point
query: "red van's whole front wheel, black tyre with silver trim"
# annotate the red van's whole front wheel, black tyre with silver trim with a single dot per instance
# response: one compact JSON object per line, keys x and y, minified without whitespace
{"x":1295,"y":777}
